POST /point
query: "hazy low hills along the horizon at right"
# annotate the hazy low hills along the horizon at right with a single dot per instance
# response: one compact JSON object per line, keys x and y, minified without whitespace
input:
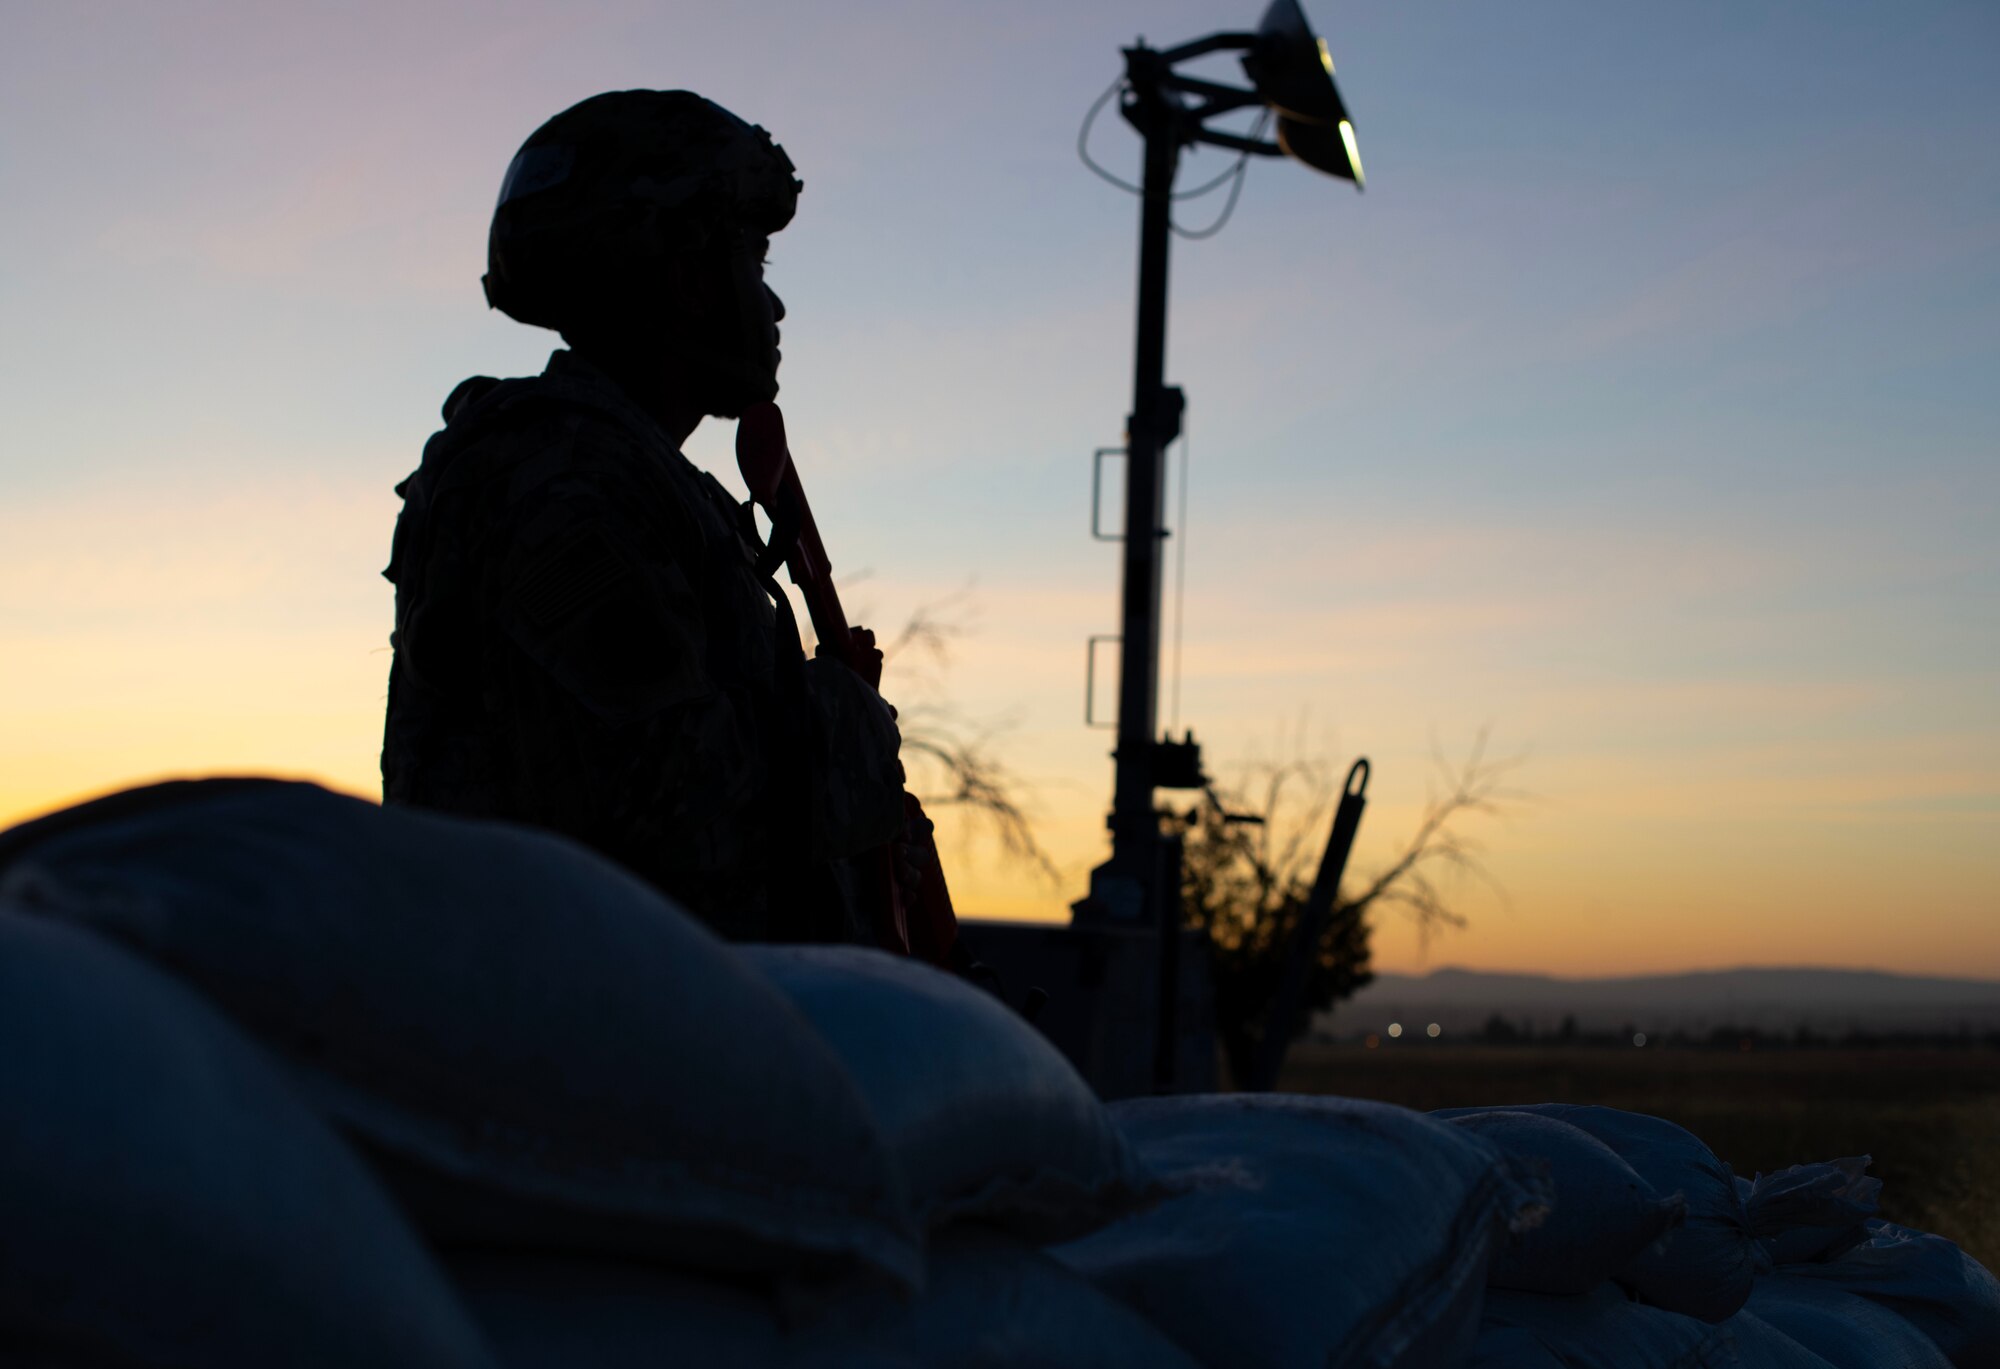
{"x":1829,"y":1002}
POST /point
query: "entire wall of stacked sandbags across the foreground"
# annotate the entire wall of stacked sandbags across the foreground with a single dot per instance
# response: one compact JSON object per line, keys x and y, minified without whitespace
{"x":309,"y":1082}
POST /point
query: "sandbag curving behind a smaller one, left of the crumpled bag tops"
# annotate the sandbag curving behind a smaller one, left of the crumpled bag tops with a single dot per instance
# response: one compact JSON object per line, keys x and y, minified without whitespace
{"x":1705,"y":1266}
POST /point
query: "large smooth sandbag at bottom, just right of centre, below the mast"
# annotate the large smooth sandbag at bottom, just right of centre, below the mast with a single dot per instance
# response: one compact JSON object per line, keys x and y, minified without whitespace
{"x":1309,"y":1232}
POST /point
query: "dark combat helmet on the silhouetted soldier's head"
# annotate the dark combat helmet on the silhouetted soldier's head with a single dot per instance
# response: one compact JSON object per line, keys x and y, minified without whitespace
{"x":607,"y":191}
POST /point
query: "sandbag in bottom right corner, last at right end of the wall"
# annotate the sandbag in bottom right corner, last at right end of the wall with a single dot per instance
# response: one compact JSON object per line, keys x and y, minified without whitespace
{"x":1927,"y":1282}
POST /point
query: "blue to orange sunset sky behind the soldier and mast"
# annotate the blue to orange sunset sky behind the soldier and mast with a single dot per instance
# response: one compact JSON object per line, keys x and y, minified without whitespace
{"x":1645,"y":411}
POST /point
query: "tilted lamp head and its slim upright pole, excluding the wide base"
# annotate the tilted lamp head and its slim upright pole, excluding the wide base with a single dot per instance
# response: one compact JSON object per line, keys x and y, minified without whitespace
{"x":1293,"y":77}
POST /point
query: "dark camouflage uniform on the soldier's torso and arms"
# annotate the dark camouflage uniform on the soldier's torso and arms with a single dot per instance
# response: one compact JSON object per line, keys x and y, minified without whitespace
{"x":583,"y":643}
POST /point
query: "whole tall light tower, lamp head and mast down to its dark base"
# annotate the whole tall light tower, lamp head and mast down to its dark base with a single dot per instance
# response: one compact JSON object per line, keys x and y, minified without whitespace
{"x":1117,"y":976}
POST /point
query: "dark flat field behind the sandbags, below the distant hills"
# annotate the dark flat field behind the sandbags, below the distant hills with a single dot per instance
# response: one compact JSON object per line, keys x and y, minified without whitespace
{"x":1929,"y":1118}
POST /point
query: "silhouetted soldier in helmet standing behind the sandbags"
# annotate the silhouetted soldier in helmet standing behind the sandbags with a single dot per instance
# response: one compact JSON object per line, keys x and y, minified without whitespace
{"x":583,"y":635}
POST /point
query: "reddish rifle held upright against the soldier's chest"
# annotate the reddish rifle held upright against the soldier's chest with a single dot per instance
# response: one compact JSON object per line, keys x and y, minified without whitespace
{"x":931,"y":928}
